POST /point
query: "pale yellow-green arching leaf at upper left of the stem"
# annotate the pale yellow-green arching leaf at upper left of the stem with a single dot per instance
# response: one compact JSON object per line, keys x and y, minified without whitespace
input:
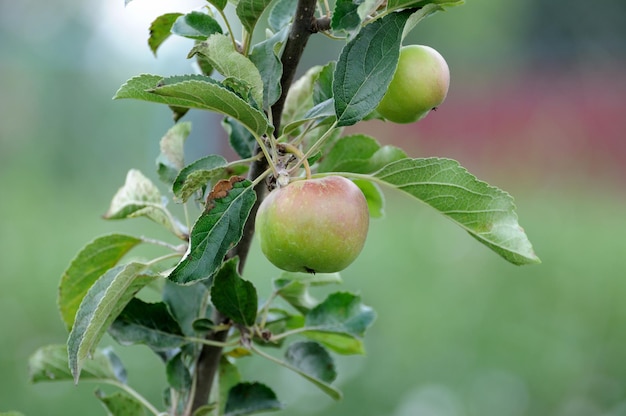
{"x":219,"y":50}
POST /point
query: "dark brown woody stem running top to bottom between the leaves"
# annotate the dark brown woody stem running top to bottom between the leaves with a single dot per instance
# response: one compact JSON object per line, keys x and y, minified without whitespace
{"x":303,"y":26}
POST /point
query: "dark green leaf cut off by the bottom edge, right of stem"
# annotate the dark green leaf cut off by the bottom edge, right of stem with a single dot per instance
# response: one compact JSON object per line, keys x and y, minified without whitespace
{"x":249,"y":398}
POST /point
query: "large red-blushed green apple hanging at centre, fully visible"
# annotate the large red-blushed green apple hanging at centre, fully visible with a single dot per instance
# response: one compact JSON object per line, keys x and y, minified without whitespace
{"x":314,"y":226}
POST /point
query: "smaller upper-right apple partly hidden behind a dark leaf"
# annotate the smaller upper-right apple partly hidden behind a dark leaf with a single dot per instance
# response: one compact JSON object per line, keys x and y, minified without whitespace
{"x":419,"y":84}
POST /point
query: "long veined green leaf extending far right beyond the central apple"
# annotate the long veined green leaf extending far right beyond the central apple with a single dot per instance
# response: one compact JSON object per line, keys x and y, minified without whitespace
{"x":486,"y":212}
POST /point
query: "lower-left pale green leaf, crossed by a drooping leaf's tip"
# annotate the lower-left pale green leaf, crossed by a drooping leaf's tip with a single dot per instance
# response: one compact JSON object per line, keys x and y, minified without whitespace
{"x":50,"y":363}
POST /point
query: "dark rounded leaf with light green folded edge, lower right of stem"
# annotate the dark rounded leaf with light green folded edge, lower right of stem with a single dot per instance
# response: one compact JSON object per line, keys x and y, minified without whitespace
{"x":314,"y":363}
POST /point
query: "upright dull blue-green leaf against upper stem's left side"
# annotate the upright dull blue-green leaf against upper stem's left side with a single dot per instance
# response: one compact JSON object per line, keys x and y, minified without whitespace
{"x":266,"y":56}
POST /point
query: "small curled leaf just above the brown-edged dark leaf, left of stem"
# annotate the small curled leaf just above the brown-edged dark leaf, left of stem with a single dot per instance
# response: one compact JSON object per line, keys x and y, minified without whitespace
{"x":197,"y":175}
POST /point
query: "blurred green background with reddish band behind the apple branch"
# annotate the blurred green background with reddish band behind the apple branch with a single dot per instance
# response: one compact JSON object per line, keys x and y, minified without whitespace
{"x":535,"y":107}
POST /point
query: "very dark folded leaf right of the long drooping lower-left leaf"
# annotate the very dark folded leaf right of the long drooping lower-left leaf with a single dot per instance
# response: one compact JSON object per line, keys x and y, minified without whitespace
{"x":145,"y":323}
